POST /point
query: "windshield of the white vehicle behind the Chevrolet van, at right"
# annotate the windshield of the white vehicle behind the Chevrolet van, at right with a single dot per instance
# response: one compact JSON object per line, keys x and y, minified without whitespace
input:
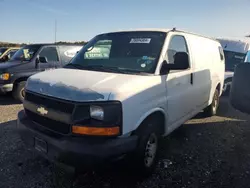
{"x":232,"y":59}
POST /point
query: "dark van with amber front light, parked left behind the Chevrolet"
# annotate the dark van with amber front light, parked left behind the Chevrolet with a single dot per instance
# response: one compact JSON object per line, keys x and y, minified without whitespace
{"x":30,"y":60}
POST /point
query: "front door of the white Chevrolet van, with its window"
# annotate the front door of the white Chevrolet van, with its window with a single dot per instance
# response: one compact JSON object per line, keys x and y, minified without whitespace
{"x":179,"y":84}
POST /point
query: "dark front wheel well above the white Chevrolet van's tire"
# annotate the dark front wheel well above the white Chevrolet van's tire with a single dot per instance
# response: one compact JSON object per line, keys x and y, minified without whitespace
{"x":159,"y":117}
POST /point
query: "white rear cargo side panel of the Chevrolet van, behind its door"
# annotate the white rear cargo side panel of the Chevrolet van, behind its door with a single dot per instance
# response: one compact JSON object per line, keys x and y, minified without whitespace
{"x":208,"y":67}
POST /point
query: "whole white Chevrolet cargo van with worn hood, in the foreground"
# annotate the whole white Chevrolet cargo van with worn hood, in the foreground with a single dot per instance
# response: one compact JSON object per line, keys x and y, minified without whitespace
{"x":120,"y":93}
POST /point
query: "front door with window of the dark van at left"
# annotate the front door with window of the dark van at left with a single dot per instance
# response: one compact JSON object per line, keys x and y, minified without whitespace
{"x":50,"y":52}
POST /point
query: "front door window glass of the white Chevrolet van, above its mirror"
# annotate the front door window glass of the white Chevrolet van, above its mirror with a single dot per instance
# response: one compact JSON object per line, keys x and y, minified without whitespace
{"x":177,"y":44}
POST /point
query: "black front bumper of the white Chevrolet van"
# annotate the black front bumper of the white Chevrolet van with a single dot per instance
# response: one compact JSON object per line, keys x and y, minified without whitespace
{"x":74,"y":151}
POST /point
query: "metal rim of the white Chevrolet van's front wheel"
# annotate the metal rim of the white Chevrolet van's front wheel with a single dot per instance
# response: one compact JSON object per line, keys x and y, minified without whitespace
{"x":150,"y":151}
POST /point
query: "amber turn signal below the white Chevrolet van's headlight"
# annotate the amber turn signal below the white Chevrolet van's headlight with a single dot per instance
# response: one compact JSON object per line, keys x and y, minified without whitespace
{"x":96,"y":131}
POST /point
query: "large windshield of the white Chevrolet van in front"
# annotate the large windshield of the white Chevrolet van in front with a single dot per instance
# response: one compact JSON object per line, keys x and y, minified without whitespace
{"x":122,"y":52}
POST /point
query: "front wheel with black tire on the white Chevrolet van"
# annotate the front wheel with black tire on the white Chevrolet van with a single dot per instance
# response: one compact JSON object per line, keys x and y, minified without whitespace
{"x":148,"y":144}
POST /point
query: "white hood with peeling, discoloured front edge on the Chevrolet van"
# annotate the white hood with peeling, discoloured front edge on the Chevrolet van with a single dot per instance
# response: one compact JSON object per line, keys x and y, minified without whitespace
{"x":81,"y":85}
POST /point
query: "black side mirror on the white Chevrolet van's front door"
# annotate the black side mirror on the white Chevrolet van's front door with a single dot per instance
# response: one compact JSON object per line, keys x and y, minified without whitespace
{"x":181,"y":62}
